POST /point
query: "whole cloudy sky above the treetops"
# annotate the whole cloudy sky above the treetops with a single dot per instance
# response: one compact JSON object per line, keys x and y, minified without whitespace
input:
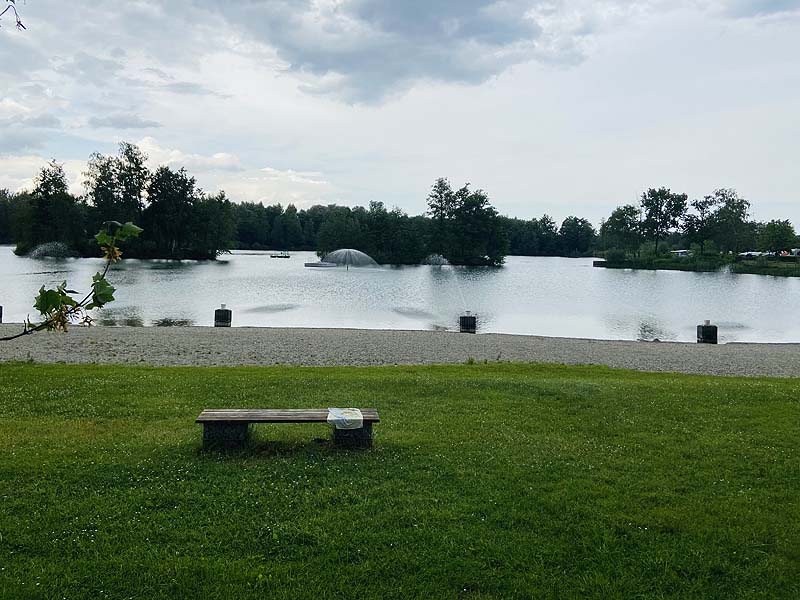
{"x":565,"y":107}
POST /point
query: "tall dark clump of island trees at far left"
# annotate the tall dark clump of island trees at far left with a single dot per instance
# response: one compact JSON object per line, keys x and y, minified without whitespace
{"x":180,"y":221}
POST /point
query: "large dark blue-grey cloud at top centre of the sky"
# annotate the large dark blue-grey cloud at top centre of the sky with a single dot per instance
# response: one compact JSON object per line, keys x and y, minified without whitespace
{"x":365,"y":50}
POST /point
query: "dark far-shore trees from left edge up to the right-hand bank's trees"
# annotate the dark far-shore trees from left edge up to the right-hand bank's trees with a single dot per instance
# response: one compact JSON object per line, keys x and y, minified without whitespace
{"x":181,"y":221}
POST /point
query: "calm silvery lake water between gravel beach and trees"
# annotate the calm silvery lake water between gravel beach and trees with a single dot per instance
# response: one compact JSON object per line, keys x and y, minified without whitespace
{"x":530,"y":295}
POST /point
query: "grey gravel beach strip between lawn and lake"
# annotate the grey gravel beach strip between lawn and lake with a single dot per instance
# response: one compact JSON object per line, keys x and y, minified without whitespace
{"x":206,"y":346}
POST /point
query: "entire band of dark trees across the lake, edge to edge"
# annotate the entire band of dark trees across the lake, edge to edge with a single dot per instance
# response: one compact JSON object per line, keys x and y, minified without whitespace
{"x":182,"y":221}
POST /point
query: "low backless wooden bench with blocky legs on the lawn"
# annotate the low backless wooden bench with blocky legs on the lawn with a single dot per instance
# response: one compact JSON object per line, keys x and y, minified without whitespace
{"x":230,"y":427}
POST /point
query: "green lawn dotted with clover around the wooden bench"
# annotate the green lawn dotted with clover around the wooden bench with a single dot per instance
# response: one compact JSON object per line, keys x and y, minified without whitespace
{"x":486,"y":481}
